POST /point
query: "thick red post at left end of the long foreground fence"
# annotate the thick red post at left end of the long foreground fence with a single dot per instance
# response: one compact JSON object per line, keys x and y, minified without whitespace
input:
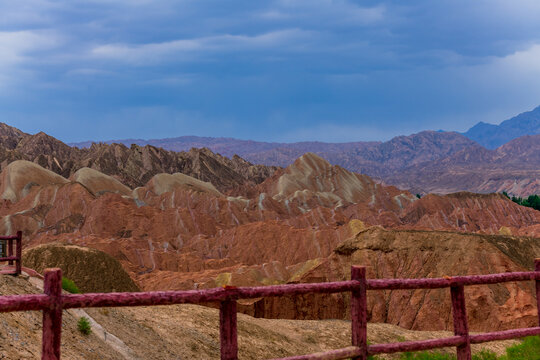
{"x":52,"y":317}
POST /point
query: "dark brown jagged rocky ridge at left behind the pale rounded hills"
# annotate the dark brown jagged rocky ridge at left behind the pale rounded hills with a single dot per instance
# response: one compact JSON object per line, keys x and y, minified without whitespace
{"x":133,"y":166}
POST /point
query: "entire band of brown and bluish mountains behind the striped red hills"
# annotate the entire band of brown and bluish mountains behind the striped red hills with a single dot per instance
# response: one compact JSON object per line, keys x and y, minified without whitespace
{"x":430,"y":161}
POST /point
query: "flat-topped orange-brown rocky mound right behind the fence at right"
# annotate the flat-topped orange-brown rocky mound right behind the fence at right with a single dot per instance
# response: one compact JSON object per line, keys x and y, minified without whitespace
{"x":417,"y":254}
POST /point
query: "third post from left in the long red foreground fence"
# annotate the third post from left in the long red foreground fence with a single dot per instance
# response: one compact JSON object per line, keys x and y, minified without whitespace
{"x":359,"y":311}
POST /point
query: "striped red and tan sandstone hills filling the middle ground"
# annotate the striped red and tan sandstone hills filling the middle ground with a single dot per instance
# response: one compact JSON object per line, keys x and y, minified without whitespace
{"x":179,"y":232}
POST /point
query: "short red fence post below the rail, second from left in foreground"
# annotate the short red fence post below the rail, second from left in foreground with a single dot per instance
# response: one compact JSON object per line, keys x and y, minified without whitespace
{"x":228,"y":330}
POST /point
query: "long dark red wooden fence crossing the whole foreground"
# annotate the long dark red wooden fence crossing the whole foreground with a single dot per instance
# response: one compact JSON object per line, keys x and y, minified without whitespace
{"x":52,"y":302}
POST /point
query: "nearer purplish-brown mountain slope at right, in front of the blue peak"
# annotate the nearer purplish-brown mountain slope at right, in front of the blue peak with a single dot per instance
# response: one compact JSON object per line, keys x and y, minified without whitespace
{"x":512,"y":167}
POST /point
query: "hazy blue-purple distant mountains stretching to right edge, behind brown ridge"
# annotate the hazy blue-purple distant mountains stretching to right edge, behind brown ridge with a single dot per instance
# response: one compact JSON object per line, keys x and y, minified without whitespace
{"x":429,"y":161}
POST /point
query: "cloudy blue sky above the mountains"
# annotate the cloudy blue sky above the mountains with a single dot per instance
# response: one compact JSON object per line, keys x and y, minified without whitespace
{"x":284,"y":70}
